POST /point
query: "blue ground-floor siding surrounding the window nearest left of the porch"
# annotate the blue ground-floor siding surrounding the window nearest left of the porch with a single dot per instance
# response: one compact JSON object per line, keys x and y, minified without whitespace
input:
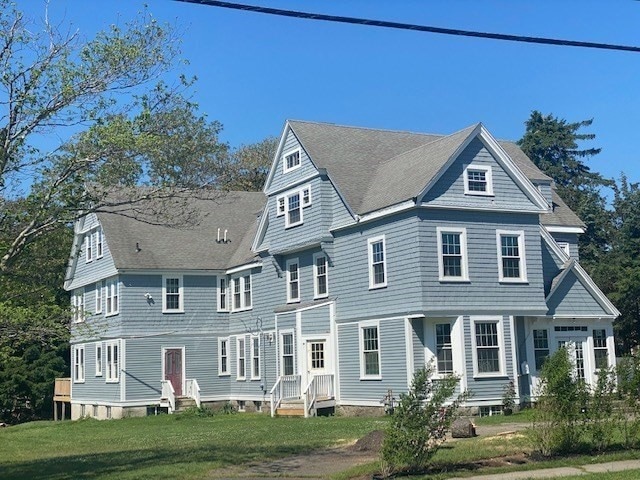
{"x":488,"y":388}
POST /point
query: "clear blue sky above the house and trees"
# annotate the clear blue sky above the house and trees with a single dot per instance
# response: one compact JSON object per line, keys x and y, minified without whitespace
{"x":255,"y":71}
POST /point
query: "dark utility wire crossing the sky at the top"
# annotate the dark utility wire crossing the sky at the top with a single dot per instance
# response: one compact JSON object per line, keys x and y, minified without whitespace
{"x":417,"y":28}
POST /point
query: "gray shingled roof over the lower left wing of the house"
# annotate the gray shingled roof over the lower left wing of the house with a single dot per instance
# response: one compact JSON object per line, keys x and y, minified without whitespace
{"x":193,"y":247}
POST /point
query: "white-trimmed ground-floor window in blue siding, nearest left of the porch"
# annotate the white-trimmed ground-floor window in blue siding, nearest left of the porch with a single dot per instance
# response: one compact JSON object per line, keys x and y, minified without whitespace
{"x":488,"y":346}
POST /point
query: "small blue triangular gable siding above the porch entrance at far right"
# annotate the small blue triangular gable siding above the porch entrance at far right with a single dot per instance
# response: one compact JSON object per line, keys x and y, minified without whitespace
{"x":573,"y":299}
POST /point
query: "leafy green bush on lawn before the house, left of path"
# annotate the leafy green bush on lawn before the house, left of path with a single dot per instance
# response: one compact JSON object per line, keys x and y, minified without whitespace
{"x":420,"y":422}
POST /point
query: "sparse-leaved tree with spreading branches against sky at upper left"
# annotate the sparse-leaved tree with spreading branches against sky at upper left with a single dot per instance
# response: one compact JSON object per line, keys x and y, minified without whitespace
{"x":79,"y":119}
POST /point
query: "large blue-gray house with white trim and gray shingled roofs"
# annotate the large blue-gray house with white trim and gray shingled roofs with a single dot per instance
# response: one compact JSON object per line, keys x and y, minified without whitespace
{"x":369,"y":254}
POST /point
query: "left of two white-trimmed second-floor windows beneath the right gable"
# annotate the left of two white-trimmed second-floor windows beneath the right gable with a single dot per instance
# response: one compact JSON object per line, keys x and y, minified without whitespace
{"x":452,"y":254}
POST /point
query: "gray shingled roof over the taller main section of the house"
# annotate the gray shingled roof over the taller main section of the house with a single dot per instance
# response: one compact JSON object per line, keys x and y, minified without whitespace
{"x":373,"y":169}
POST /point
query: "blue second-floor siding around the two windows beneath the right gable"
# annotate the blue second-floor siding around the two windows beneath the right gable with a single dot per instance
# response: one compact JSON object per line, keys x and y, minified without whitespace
{"x":484,"y":291}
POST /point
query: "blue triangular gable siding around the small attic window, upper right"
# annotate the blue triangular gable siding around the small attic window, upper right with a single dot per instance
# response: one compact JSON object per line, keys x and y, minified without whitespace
{"x":449,"y":189}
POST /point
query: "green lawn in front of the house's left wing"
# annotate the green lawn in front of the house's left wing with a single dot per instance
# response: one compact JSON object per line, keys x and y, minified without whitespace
{"x":167,"y":446}
